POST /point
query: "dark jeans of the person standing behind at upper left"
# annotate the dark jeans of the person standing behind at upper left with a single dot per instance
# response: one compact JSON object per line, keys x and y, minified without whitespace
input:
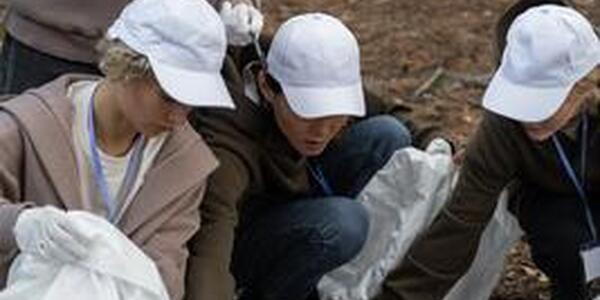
{"x":23,"y":67}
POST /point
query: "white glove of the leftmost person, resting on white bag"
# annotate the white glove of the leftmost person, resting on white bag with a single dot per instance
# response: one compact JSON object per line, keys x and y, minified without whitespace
{"x":48,"y":232}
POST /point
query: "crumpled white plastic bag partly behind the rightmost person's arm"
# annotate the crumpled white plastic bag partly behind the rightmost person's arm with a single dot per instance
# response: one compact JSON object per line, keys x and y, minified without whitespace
{"x":402,"y":199}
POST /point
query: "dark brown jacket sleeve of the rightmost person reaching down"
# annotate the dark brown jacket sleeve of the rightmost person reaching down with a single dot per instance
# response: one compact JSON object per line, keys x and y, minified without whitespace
{"x":445,"y":251}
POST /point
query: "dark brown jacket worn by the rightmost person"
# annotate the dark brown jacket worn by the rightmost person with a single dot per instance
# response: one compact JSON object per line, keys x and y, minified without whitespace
{"x":498,"y":154}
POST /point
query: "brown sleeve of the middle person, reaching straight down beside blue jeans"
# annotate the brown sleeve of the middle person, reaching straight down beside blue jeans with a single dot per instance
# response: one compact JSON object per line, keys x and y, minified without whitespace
{"x":208,"y":276}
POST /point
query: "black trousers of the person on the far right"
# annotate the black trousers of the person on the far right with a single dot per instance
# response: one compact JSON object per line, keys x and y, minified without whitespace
{"x":556,"y":228}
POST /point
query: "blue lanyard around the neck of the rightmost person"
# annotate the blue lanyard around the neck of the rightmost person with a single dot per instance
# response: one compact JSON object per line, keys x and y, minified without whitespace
{"x":579,"y":183}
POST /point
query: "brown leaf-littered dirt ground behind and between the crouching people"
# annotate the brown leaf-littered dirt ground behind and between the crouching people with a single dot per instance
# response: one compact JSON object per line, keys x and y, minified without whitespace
{"x":435,"y":55}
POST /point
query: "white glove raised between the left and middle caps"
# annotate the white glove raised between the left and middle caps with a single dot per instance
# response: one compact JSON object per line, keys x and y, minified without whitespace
{"x":243,"y":22}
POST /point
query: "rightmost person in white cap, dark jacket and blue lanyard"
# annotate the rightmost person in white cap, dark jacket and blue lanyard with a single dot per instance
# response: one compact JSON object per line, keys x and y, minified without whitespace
{"x":539,"y":139}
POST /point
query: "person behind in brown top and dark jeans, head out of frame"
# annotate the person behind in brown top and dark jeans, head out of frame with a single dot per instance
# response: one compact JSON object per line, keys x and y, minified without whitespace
{"x":45,"y":39}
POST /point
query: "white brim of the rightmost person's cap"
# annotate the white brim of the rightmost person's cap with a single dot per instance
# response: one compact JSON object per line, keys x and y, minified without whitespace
{"x":523,"y":103}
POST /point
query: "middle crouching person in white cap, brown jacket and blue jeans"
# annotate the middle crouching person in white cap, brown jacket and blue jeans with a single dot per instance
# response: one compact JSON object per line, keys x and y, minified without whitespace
{"x":292,"y":162}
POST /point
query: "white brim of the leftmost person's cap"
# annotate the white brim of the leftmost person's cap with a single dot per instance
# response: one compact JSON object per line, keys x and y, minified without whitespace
{"x":192,"y":88}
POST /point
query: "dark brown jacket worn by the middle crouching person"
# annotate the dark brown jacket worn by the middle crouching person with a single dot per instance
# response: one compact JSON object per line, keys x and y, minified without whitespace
{"x":257,"y":162}
